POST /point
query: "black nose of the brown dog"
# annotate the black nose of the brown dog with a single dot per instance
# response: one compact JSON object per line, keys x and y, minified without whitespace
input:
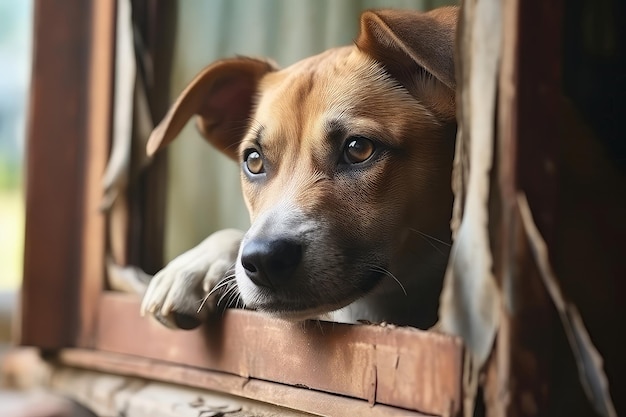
{"x":270,"y":263}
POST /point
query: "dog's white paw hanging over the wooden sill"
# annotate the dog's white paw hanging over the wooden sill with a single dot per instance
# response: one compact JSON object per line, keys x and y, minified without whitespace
{"x":177,"y":293}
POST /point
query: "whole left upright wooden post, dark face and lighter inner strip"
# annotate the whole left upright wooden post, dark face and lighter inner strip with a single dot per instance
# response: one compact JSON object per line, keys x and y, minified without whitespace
{"x":68,"y":139}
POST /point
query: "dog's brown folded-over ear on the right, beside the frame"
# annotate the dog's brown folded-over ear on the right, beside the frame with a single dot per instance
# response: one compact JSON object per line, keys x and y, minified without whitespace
{"x":417,"y":49}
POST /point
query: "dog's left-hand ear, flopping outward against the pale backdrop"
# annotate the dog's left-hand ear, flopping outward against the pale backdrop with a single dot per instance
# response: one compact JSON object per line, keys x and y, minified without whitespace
{"x":222,"y":96}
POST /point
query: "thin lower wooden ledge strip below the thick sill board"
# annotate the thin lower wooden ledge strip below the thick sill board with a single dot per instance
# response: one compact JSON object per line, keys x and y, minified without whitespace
{"x":295,"y":398}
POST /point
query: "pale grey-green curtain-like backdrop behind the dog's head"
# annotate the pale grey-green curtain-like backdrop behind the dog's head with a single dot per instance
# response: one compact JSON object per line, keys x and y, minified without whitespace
{"x":204,"y":194}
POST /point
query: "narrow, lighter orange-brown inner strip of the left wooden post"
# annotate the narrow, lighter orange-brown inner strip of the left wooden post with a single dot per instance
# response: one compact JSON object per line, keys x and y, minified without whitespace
{"x":97,"y":142}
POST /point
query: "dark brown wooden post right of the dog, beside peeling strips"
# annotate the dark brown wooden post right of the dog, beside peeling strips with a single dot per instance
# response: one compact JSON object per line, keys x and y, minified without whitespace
{"x":519,"y":379}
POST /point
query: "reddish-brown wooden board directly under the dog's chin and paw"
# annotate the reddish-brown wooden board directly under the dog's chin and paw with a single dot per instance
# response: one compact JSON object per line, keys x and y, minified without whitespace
{"x":401,"y":367}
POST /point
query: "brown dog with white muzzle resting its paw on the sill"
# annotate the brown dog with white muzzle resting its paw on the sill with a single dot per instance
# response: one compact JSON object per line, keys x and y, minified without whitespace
{"x":346,"y":161}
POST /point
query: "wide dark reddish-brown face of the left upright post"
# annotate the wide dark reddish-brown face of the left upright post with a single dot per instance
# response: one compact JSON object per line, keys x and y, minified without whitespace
{"x":55,"y":173}
